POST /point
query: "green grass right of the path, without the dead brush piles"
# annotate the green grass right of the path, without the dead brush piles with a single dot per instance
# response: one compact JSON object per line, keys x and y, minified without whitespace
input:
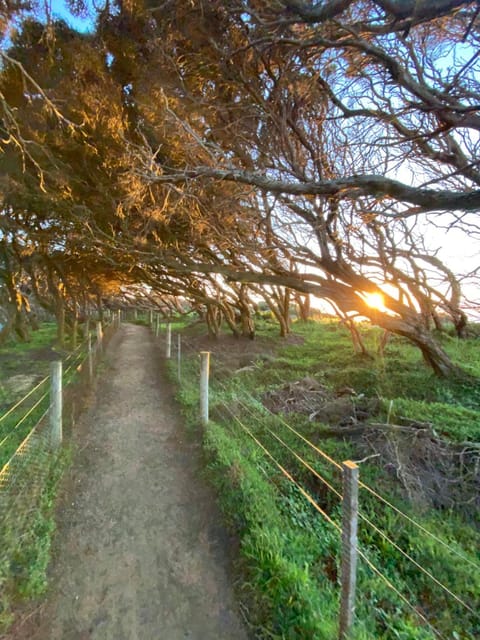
{"x":290,"y":554}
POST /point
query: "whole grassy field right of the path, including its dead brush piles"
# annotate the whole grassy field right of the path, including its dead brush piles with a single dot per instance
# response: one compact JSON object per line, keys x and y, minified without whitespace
{"x":417,"y":435}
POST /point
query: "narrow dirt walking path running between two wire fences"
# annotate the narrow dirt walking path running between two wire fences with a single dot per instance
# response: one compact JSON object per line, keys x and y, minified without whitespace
{"x":140,"y":552}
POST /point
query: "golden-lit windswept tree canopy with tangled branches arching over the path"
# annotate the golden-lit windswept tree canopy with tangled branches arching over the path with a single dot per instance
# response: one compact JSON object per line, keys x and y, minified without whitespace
{"x":319,"y":136}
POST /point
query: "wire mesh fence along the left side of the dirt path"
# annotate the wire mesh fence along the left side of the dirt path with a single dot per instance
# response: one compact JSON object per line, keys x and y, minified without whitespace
{"x":28,"y":461}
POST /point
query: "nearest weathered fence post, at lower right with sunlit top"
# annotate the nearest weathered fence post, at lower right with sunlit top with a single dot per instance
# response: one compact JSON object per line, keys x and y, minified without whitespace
{"x":349,"y":547}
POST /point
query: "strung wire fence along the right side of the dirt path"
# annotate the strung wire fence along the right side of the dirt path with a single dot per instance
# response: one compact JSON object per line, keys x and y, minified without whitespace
{"x":295,"y":457}
